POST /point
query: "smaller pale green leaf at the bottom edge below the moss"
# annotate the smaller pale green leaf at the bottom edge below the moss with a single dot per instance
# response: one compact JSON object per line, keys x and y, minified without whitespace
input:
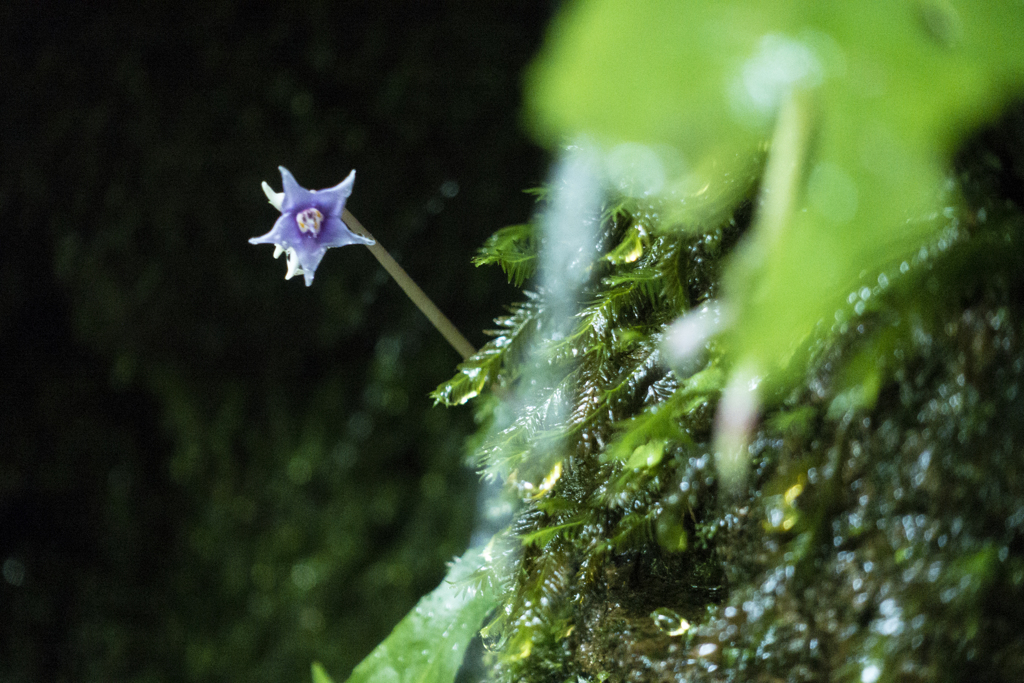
{"x":429,"y":645}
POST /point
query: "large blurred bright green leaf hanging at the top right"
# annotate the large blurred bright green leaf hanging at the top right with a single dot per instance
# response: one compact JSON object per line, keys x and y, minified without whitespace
{"x":891,"y":90}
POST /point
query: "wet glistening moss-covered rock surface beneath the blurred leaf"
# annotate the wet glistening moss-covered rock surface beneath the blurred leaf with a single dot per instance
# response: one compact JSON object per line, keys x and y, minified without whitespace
{"x":879,"y":537}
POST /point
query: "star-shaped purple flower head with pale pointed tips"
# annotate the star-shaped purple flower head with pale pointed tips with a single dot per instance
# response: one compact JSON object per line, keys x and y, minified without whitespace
{"x":310,"y":225}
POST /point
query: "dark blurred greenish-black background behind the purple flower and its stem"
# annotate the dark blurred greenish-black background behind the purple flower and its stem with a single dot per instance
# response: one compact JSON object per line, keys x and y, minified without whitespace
{"x":208,"y":474}
